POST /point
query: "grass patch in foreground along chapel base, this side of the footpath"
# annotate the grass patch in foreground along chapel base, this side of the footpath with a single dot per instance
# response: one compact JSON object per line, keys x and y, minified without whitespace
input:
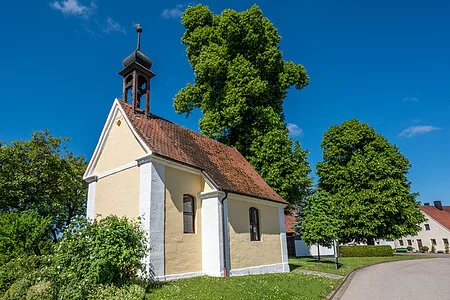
{"x":291,"y":285}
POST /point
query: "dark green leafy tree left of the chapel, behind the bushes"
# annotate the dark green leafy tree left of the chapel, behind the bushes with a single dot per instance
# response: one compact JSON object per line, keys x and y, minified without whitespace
{"x":41,"y":175}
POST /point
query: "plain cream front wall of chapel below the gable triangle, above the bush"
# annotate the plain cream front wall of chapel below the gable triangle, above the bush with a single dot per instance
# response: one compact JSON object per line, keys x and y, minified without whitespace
{"x":118,"y":194}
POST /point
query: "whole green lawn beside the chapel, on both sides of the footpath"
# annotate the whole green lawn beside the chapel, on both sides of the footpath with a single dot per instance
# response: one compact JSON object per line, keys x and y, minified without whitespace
{"x":293,"y":285}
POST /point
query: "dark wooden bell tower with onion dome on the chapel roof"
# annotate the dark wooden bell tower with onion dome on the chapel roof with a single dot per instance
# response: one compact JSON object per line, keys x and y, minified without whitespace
{"x":136,"y":78}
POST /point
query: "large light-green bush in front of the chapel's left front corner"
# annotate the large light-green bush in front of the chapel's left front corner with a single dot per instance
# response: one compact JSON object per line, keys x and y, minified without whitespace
{"x":107,"y":251}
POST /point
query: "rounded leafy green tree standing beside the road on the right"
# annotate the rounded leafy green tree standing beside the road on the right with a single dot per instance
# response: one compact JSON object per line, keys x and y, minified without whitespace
{"x":364,"y":179}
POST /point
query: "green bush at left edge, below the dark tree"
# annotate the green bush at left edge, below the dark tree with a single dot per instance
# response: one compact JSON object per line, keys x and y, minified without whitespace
{"x":23,"y":234}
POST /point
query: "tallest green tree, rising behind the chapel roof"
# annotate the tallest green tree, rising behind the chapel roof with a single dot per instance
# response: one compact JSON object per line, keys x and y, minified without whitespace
{"x":240,"y":83}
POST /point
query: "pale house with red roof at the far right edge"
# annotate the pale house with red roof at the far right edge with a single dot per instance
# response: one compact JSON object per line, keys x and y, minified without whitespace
{"x":435,"y":231}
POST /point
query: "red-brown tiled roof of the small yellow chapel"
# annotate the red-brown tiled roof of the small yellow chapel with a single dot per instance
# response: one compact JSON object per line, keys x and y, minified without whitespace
{"x":224,"y":165}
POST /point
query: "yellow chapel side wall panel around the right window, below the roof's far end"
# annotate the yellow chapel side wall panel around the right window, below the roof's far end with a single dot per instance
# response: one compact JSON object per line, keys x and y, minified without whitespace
{"x":245,"y":253}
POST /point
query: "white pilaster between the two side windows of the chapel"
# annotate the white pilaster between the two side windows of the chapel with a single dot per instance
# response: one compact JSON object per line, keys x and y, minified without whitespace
{"x":212,"y":233}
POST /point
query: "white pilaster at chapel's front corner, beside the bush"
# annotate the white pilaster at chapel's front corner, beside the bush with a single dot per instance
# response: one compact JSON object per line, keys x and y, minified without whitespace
{"x":151,"y":211}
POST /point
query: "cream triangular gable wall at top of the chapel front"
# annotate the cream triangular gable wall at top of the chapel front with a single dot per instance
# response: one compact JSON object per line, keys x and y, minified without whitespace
{"x":120,"y":147}
